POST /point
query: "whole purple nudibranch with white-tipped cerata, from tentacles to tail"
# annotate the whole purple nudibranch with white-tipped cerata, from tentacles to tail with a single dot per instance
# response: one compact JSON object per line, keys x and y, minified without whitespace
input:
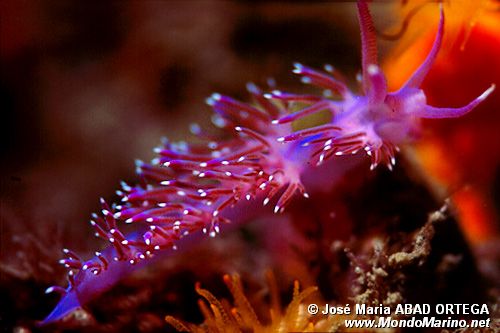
{"x":191,"y":191}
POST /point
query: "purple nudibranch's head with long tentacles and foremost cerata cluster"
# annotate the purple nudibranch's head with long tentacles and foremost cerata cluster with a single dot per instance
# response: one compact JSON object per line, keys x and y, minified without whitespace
{"x":376,"y":121}
